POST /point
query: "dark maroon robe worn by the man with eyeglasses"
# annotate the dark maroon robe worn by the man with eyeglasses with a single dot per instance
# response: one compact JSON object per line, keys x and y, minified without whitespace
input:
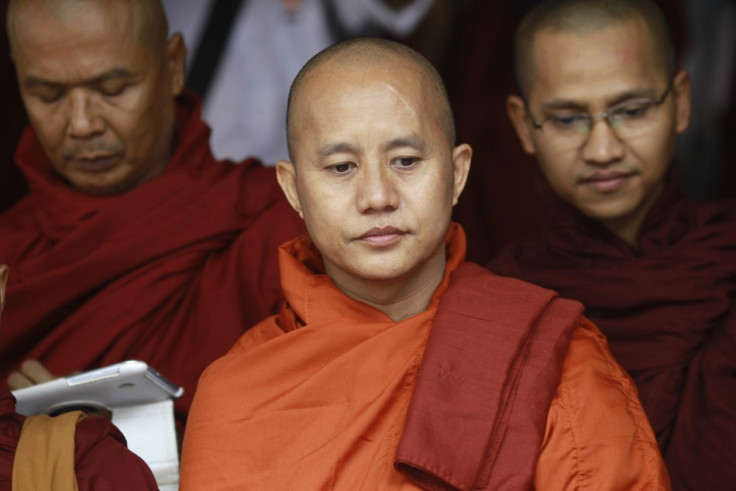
{"x":668,"y":311}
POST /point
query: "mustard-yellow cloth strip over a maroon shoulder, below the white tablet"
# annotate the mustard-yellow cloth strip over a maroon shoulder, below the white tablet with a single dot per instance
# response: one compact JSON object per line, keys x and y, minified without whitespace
{"x":44,"y":457}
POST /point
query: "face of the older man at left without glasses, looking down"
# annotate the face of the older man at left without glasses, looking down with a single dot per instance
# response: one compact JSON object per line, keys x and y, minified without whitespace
{"x":100,"y":100}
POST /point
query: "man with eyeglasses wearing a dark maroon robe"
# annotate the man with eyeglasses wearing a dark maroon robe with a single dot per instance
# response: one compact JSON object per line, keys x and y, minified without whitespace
{"x":601,"y":105}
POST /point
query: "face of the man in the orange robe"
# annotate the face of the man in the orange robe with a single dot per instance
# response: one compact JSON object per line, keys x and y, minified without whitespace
{"x":374,"y":176}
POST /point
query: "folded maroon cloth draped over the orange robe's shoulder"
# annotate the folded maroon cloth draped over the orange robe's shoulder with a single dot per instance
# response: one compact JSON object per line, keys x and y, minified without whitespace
{"x":491,"y":367}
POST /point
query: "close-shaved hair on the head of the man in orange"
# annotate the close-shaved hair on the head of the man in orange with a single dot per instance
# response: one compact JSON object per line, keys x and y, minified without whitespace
{"x":364,"y":53}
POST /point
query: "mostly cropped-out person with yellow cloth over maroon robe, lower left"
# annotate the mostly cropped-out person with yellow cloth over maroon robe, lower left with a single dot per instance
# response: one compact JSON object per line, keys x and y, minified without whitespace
{"x":65,"y":451}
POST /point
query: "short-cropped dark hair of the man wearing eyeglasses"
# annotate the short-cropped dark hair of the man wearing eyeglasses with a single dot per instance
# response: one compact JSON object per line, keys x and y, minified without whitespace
{"x":584,"y":17}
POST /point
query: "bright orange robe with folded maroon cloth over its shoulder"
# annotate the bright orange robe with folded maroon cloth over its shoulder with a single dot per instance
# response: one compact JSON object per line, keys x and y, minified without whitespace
{"x":482,"y":390}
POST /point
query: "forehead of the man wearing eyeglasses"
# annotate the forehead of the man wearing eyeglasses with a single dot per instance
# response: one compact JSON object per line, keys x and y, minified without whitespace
{"x":599,"y":64}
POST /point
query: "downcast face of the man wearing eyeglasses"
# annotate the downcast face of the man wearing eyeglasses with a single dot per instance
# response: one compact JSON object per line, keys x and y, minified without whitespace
{"x":608,"y":174}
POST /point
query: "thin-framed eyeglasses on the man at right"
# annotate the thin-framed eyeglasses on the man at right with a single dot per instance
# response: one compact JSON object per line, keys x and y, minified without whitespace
{"x":628,"y":119}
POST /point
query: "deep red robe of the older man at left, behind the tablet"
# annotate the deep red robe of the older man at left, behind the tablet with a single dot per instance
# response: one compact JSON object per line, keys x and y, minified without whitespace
{"x":170,"y":273}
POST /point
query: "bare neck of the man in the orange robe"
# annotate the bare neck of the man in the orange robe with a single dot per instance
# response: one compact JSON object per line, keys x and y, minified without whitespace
{"x":398,"y":298}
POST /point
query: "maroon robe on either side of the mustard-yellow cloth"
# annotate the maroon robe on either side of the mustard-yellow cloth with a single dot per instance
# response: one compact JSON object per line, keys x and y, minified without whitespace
{"x":101,"y":459}
